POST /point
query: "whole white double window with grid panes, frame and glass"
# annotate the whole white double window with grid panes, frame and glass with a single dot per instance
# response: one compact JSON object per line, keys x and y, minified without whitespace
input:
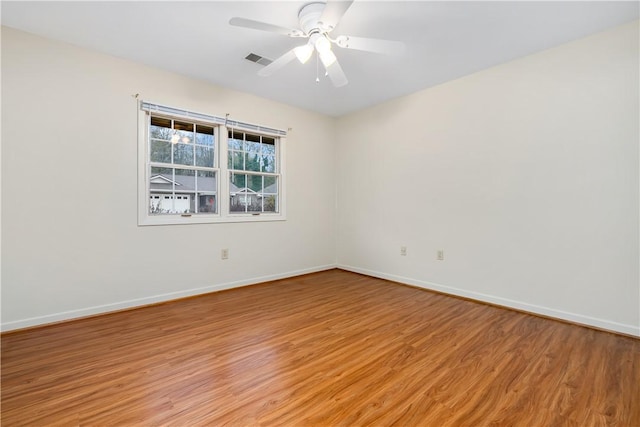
{"x":202,"y":169}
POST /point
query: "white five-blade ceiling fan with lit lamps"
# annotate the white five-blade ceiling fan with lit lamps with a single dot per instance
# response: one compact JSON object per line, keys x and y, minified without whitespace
{"x":317,"y":20}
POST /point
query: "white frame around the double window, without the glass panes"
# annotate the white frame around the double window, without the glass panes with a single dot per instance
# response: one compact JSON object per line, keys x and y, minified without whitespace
{"x":222,"y":126}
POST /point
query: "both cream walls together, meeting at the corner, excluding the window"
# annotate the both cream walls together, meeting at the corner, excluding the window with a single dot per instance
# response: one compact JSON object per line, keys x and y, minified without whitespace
{"x":526,"y":174}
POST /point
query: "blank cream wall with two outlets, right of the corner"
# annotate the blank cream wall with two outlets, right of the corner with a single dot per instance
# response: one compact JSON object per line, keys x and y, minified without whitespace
{"x":526,"y":174}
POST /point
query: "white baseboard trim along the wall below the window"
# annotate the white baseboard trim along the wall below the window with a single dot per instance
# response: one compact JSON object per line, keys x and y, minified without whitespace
{"x":134,"y":303}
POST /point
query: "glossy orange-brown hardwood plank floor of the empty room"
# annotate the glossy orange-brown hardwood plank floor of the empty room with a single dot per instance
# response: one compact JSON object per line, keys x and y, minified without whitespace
{"x":326,"y":349}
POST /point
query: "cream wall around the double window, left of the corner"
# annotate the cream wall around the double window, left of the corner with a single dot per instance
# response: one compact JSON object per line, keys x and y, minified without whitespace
{"x":70,"y":243}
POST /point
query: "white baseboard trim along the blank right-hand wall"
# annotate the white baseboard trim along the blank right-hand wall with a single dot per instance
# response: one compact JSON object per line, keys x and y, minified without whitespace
{"x":504,"y":302}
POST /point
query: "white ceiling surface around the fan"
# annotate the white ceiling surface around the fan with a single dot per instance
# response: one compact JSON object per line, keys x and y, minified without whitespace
{"x":445,"y":40}
